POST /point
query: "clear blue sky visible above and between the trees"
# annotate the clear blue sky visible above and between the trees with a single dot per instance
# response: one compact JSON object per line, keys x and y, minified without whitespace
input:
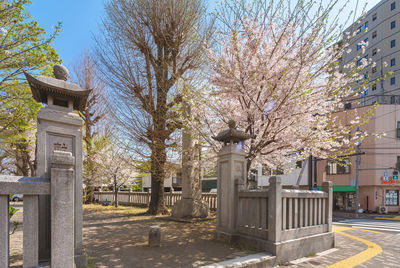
{"x":80,"y":21}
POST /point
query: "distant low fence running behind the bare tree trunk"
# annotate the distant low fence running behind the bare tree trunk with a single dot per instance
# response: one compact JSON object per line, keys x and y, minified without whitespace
{"x":140,"y":198}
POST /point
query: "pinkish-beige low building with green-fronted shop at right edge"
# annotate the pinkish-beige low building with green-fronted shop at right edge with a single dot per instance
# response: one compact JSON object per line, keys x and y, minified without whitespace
{"x":377,"y":185}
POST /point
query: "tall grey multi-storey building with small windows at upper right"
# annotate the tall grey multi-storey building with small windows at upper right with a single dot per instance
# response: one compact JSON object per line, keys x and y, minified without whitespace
{"x":380,"y":29}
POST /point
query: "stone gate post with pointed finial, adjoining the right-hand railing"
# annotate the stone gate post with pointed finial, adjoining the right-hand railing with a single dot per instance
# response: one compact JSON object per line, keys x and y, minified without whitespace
{"x":231,"y":169}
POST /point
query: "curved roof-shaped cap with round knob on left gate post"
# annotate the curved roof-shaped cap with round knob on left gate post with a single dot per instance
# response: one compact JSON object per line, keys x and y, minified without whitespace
{"x":58,"y":88}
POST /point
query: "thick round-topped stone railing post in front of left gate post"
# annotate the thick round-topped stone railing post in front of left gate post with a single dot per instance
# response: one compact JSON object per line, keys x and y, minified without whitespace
{"x":62,"y":210}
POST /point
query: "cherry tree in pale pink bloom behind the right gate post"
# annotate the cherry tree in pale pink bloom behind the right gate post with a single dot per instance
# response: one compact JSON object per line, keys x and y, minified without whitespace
{"x":276,"y":73}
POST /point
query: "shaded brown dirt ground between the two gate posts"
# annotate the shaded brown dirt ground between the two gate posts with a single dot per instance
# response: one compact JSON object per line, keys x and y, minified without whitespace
{"x":117,"y":237}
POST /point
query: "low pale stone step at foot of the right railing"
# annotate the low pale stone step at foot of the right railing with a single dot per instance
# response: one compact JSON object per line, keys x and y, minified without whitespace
{"x":259,"y":260}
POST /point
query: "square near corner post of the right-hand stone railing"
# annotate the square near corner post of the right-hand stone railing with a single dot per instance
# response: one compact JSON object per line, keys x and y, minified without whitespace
{"x":274,"y":209}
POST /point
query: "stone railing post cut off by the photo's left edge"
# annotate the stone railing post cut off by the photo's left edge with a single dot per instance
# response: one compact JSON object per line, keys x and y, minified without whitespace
{"x":4,"y":229}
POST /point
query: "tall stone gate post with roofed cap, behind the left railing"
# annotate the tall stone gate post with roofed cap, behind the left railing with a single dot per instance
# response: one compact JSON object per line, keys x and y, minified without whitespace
{"x":59,"y":129}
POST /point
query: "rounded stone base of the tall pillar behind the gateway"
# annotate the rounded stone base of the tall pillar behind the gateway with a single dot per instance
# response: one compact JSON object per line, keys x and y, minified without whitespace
{"x":190,"y":208}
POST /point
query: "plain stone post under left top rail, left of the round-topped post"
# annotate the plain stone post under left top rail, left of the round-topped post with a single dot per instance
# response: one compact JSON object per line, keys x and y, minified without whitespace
{"x":31,"y":231}
